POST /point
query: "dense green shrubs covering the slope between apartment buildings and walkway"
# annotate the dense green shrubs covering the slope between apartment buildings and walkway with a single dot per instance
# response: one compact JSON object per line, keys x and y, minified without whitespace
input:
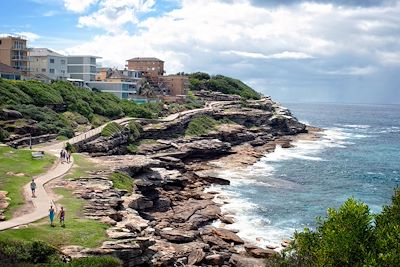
{"x":60,"y":108}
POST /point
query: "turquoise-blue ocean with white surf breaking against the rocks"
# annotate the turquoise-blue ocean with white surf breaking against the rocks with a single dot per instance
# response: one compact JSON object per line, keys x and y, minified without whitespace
{"x":358,"y":155}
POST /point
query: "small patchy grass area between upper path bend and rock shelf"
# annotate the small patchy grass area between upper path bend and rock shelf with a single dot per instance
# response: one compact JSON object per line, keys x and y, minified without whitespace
{"x":82,"y":165}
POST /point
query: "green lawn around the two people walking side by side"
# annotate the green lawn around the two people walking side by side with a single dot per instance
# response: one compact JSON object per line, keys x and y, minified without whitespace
{"x":77,"y":231}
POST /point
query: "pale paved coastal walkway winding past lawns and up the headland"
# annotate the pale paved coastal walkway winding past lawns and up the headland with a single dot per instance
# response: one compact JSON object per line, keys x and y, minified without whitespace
{"x":43,"y":201}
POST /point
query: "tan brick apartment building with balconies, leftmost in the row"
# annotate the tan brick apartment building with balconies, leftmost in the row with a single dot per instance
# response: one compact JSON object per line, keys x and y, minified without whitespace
{"x":14,"y":53}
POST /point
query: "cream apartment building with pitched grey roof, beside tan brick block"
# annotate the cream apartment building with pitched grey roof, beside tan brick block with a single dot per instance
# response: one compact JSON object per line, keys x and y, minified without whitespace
{"x":46,"y":62}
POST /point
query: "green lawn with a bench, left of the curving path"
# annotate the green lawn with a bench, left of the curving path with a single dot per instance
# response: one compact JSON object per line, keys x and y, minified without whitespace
{"x":19,"y":161}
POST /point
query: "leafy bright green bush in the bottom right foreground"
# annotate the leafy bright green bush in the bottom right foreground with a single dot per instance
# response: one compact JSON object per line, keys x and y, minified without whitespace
{"x":349,"y":236}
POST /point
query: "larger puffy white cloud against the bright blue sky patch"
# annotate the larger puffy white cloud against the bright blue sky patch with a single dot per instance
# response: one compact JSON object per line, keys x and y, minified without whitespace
{"x":113,"y":14}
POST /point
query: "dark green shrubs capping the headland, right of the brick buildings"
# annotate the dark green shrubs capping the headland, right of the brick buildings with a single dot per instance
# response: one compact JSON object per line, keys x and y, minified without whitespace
{"x":219,"y":83}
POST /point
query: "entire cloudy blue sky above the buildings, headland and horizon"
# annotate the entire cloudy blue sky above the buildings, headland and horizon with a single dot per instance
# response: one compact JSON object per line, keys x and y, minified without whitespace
{"x":344,"y":51}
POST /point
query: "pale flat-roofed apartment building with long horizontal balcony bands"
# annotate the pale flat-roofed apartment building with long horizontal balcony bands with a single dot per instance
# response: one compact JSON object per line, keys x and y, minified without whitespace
{"x":82,"y":67}
